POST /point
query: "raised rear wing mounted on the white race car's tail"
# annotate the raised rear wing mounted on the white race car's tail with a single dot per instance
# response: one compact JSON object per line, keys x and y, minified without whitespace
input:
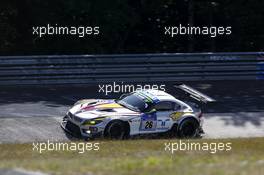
{"x":195,"y":94}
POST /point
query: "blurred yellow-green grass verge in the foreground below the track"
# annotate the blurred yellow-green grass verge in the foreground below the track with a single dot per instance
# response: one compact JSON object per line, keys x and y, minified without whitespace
{"x":142,"y":157}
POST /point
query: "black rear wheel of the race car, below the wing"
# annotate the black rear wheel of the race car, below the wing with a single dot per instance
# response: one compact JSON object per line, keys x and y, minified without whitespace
{"x":188,"y":128}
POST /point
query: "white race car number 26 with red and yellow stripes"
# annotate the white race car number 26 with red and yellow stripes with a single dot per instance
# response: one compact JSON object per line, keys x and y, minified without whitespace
{"x":140,"y":112}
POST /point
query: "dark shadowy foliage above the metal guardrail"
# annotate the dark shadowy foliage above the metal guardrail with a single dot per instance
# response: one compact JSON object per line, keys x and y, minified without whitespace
{"x":129,"y":26}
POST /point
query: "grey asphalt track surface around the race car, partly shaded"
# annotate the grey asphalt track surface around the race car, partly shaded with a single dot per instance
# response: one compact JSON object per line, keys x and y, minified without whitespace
{"x":31,"y":114}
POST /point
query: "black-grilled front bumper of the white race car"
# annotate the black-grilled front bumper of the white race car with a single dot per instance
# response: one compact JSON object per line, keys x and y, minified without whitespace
{"x":78,"y":131}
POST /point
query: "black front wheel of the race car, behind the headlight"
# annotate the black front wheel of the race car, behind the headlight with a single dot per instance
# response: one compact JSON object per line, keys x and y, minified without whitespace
{"x":115,"y":130}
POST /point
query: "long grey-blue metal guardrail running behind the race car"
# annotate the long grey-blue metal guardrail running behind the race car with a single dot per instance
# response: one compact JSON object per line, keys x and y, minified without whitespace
{"x":79,"y":69}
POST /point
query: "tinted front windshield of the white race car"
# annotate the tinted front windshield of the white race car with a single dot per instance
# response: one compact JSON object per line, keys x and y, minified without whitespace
{"x":133,"y":102}
